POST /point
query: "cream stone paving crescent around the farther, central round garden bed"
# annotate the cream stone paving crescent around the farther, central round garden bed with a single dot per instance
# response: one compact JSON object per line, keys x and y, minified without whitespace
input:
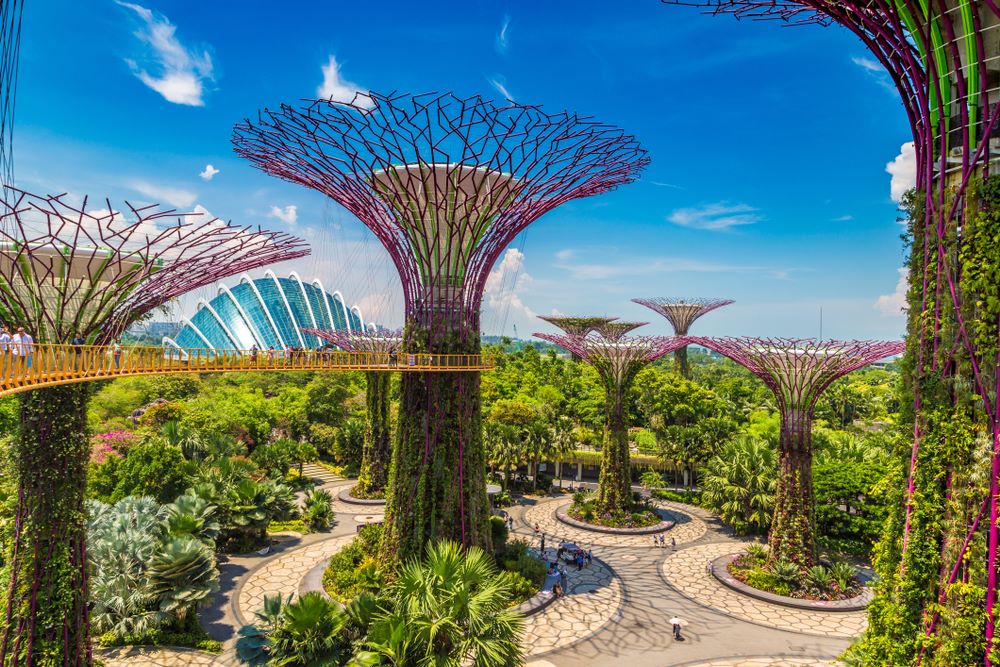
{"x":688,"y":529}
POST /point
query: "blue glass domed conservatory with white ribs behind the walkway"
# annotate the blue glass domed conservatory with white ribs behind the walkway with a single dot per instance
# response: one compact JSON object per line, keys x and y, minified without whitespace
{"x":266,"y":312}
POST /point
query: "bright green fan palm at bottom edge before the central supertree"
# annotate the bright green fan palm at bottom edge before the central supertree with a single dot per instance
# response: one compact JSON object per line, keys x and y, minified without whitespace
{"x":450,"y":609}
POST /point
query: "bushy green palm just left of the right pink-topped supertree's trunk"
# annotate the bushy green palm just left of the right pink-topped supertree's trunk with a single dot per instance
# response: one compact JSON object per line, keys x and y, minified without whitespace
{"x":740,"y":483}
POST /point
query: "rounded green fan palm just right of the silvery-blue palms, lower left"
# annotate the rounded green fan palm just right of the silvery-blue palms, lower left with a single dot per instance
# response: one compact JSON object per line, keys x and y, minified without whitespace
{"x":182,"y":575}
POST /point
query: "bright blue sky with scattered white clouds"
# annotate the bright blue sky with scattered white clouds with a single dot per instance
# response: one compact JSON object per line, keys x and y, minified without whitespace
{"x":769,"y":144}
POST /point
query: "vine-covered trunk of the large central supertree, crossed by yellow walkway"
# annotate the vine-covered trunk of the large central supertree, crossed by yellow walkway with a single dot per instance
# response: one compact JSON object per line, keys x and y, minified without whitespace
{"x":437,"y":481}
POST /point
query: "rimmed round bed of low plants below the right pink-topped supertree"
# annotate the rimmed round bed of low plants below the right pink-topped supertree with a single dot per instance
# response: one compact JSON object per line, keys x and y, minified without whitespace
{"x":835,"y":586}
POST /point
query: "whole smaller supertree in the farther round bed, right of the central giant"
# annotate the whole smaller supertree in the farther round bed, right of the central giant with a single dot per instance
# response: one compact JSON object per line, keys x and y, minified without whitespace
{"x":617,"y":362}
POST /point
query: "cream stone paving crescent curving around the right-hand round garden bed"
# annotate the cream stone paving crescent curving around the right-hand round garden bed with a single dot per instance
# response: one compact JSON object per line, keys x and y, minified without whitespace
{"x":686,"y":570}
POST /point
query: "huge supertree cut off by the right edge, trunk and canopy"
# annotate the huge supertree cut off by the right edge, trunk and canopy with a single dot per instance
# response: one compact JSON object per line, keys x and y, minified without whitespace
{"x":942,"y":57}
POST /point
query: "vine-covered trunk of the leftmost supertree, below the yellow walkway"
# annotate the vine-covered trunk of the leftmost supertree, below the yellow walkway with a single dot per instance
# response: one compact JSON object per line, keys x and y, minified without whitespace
{"x":46,"y":617}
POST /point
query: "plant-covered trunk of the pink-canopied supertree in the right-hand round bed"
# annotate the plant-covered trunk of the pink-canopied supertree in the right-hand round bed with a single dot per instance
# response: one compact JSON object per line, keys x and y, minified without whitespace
{"x":792,"y":537}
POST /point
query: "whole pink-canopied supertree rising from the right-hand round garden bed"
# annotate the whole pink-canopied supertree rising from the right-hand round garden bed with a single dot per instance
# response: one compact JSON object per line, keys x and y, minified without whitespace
{"x":797,"y":371}
